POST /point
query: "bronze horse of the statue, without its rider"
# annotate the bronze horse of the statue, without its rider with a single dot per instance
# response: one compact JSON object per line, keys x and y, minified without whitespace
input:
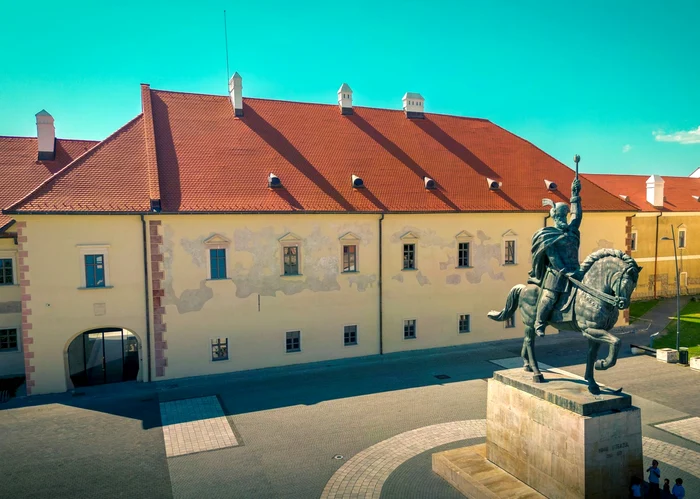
{"x":609,"y":273}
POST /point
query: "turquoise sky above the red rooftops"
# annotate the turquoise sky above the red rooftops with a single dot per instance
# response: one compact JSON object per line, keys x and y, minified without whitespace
{"x":617,"y":82}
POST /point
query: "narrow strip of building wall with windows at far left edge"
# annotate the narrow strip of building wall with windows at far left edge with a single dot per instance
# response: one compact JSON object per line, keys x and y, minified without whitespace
{"x":11,"y":363}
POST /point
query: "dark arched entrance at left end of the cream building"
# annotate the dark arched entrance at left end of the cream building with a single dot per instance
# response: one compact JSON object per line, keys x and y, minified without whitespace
{"x":104,"y":355}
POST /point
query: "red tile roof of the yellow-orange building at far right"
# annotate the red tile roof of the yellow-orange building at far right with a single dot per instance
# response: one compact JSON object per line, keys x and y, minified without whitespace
{"x":678,"y":191}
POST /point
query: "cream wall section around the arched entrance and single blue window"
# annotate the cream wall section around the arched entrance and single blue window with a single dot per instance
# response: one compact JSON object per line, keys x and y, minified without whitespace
{"x":60,"y":309}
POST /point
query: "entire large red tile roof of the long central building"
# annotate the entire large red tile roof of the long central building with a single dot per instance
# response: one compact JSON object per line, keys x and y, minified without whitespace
{"x":208,"y":160}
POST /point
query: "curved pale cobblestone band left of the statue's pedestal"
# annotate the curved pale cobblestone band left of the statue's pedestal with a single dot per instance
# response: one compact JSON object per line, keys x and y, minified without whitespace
{"x":365,"y":474}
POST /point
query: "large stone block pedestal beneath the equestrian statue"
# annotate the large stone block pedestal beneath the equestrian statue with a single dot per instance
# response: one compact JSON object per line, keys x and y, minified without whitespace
{"x":556,"y":438}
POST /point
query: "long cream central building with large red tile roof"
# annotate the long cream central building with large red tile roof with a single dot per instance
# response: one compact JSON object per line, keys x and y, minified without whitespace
{"x":222,"y":233}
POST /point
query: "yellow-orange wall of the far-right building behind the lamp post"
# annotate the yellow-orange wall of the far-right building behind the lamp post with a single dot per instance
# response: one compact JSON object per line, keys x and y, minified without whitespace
{"x":688,"y":258}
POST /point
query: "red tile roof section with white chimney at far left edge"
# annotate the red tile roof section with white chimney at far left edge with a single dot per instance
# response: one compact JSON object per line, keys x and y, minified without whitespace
{"x":23,"y":171}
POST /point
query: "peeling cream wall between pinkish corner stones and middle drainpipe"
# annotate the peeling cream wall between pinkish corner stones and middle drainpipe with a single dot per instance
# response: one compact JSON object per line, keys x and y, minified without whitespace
{"x":319,"y":302}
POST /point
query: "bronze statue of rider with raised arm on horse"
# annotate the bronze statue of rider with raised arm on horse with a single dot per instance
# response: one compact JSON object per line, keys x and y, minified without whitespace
{"x":568,"y":296}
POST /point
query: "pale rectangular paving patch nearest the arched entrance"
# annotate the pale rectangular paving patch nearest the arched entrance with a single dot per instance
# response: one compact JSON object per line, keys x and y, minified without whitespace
{"x":195,"y":425}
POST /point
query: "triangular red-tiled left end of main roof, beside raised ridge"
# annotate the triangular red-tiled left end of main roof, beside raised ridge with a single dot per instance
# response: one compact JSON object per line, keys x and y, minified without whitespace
{"x":111,"y":177}
